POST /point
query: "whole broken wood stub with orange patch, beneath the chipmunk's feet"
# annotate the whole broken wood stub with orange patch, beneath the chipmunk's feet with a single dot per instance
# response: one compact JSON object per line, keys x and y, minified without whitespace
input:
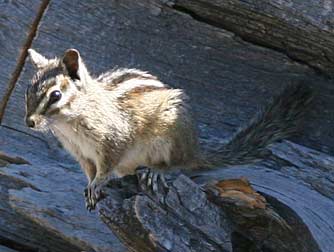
{"x":231,"y":217}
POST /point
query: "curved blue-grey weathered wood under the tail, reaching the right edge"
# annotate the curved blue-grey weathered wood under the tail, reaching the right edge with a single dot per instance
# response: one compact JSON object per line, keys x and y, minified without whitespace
{"x":298,"y":177}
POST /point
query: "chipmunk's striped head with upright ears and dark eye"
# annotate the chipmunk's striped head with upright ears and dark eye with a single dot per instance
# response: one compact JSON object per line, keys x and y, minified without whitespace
{"x":55,"y":85}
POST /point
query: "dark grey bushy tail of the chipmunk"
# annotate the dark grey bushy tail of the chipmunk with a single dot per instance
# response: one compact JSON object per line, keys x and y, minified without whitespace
{"x":279,"y":120}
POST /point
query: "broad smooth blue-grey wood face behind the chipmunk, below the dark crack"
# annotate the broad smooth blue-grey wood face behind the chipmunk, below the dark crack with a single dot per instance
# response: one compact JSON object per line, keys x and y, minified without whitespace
{"x":227,"y":78}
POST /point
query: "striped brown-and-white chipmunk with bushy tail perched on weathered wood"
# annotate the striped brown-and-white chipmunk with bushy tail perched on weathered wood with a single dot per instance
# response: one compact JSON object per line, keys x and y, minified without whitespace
{"x":128,"y":118}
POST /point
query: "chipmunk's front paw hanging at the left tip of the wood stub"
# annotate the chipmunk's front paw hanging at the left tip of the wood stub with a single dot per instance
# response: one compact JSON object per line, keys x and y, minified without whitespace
{"x":93,"y":193}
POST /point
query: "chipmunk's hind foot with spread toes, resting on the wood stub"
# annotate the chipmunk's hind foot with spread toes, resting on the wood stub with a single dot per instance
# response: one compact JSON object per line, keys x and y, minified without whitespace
{"x":149,"y":179}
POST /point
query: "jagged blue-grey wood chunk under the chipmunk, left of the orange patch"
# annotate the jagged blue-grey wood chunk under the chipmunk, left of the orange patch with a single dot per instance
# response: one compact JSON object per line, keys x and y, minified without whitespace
{"x":185,"y":222}
